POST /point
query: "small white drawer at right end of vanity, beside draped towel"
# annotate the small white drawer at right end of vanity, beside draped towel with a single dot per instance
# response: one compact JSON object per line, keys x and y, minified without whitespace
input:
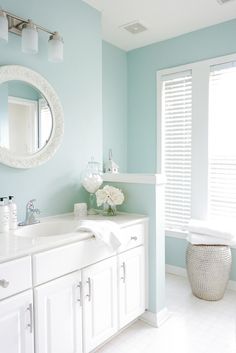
{"x":132,"y":236}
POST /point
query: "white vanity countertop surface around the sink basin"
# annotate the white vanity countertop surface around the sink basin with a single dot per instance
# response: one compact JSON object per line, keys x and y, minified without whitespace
{"x":12,"y":246}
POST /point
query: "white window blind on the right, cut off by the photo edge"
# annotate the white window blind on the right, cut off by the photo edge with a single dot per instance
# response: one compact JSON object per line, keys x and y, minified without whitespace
{"x":222,"y":141}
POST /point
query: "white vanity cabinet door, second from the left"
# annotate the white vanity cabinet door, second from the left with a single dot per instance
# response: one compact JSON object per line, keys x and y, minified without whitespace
{"x":58,"y":314}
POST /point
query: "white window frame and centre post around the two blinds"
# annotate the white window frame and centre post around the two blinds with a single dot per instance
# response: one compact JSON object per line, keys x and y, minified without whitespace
{"x":200,"y":109}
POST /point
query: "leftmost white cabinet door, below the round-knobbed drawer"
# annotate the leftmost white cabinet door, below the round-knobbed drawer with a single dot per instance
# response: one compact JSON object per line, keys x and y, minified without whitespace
{"x":16,"y":324}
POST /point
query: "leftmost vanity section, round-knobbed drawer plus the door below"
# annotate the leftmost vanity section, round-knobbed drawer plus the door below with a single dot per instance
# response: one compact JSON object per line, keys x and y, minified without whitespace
{"x":16,"y":310}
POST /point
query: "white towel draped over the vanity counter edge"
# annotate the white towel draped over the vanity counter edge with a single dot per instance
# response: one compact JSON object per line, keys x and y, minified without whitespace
{"x":106,"y":231}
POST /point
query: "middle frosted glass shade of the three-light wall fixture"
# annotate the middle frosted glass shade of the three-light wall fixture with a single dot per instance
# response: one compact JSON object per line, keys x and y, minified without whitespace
{"x":29,"y":40}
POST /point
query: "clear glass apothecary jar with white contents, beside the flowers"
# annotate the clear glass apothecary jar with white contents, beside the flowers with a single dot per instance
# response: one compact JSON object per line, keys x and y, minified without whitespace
{"x":91,"y":181}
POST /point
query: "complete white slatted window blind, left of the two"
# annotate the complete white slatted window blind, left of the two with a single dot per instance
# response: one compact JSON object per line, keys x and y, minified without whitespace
{"x":177,"y":129}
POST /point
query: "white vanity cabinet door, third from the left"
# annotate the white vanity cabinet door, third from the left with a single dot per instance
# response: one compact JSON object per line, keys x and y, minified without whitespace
{"x":100,"y":302}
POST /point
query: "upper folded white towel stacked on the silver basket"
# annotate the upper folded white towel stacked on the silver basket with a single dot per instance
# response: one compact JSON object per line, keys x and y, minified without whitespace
{"x":217,"y":229}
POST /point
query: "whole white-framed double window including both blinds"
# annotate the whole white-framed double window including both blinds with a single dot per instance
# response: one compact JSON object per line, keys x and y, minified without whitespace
{"x":197,"y":110}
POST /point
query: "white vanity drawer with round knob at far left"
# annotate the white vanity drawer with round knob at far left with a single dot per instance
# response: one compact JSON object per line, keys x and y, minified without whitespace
{"x":15,"y":276}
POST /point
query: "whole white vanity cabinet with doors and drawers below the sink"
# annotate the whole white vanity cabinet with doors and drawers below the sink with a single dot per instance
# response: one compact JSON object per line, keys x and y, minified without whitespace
{"x":72,"y":297}
